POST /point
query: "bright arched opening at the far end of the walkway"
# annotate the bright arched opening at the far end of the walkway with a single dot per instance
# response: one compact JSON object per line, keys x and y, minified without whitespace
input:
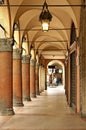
{"x":55,"y":73}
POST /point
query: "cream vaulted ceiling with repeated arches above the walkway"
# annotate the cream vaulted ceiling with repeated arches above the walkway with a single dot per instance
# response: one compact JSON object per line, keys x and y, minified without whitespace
{"x":54,"y":43}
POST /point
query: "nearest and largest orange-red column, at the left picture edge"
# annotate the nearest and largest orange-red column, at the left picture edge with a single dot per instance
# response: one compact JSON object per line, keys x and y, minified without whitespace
{"x":6,"y":99}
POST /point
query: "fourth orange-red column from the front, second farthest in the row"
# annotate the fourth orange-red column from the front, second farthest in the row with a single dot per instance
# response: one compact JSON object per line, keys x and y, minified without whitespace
{"x":32,"y":77}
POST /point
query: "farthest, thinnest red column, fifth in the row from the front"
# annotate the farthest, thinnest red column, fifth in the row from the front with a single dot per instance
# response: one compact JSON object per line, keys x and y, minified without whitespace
{"x":37,"y":79}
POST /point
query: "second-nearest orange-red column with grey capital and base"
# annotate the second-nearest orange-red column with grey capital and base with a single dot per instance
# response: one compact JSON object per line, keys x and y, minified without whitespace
{"x":17,"y":78}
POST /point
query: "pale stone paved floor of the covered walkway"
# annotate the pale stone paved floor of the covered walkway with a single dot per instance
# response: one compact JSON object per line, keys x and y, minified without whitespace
{"x":46,"y":112}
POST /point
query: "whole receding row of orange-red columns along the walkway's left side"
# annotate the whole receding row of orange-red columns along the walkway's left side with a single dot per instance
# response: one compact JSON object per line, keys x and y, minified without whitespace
{"x":19,"y":77}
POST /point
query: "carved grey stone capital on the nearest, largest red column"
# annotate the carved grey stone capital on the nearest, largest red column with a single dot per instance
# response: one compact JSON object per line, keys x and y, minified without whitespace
{"x":6,"y":45}
